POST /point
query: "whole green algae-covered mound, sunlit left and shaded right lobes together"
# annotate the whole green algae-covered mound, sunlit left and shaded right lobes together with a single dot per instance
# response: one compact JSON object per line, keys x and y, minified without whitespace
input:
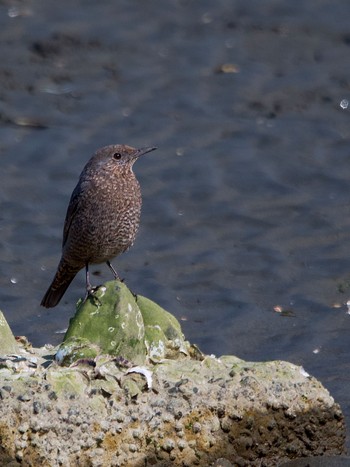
{"x":115,"y":322}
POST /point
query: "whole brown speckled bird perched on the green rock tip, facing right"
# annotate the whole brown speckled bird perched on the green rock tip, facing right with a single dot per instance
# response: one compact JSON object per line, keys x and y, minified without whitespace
{"x":102,"y":218}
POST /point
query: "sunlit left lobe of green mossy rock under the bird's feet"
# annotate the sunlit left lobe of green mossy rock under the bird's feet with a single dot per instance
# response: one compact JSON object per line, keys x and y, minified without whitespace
{"x":109,"y":322}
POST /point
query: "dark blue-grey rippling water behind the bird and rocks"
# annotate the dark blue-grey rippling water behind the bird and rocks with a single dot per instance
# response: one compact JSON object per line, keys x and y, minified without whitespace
{"x":247,"y":200}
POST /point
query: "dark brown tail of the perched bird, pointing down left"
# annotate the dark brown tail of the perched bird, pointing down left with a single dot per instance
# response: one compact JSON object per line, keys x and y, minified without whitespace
{"x":63,"y":277}
